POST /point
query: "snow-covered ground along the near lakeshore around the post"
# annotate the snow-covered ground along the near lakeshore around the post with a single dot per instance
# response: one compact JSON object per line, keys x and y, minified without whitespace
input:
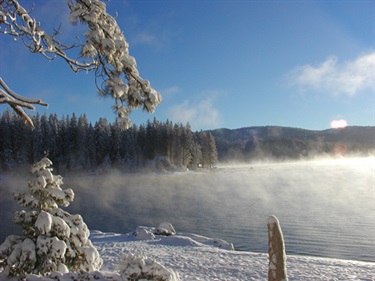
{"x":196,"y":257}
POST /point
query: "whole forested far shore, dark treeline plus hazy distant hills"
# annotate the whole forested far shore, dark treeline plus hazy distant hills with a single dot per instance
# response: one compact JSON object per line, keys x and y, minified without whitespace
{"x":75,"y":144}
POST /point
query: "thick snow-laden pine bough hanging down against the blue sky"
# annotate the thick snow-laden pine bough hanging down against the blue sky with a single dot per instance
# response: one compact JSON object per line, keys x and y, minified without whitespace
{"x":107,"y":44}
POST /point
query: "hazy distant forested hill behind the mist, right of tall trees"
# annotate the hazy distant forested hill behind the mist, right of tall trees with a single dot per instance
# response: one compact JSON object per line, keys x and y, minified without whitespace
{"x":292,"y":143}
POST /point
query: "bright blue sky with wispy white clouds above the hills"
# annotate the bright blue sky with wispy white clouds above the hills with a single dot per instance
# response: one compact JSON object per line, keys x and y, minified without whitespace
{"x":220,"y":64}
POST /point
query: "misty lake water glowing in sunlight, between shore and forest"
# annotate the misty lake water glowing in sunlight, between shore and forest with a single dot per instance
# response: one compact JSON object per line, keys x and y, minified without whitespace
{"x":326,"y":208}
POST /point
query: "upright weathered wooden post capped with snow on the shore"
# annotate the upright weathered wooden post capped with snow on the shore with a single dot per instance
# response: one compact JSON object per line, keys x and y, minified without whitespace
{"x":276,"y":251}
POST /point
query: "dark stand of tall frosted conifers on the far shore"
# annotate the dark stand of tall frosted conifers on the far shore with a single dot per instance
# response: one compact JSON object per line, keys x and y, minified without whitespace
{"x":75,"y":144}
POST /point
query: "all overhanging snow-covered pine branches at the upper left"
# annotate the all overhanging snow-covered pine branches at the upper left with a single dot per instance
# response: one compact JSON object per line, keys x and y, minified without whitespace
{"x":105,"y":51}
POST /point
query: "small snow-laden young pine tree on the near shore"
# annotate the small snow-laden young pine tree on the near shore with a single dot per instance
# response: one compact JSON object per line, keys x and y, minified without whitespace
{"x":53,"y":240}
